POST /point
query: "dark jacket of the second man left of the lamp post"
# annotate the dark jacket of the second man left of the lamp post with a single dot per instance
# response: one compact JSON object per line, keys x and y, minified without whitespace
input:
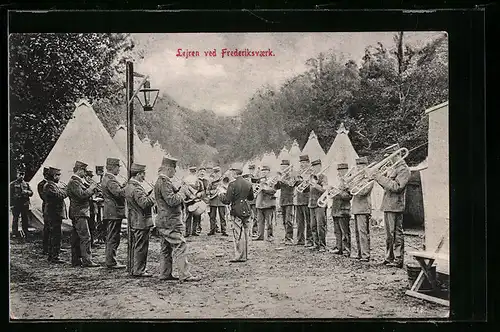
{"x":78,"y":198}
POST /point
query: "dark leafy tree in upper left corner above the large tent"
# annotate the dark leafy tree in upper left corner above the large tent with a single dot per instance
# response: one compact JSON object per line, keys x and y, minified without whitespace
{"x":48,"y":74}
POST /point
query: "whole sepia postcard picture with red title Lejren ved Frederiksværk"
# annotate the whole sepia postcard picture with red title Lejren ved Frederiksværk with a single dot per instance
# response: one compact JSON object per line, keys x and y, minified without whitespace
{"x":228,"y":175}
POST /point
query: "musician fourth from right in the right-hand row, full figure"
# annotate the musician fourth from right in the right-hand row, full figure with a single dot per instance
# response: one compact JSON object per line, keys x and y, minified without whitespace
{"x":318,"y":214}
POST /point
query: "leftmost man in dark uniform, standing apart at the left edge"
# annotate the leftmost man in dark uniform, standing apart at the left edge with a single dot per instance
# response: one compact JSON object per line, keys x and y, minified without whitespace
{"x":20,"y":192}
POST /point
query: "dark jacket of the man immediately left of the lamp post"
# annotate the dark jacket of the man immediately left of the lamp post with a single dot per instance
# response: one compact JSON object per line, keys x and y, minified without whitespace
{"x":114,"y":198}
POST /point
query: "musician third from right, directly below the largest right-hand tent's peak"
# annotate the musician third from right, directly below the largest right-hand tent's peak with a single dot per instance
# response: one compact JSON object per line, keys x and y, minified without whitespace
{"x":341,"y":209}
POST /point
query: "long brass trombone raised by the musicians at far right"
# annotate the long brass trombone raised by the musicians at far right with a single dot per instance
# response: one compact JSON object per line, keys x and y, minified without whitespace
{"x":365,"y":177}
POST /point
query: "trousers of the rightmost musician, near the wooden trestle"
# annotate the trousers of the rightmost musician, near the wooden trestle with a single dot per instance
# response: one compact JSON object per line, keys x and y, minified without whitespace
{"x":395,"y":244}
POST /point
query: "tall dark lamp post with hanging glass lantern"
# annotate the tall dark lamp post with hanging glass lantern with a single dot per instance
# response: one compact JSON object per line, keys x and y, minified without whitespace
{"x":145,"y":96}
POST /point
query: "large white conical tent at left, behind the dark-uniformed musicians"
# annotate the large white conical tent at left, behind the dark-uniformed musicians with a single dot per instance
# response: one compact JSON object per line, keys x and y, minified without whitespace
{"x":85,"y":139}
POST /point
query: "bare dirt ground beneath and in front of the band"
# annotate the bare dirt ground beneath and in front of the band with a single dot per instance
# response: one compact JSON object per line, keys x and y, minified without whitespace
{"x":276,"y":282}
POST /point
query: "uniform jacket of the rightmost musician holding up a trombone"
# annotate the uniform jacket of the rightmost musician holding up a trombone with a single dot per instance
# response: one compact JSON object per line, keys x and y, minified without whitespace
{"x":395,"y":188}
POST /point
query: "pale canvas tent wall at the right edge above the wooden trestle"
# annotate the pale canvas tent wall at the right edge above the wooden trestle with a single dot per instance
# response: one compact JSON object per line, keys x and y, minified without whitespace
{"x":435,"y":181}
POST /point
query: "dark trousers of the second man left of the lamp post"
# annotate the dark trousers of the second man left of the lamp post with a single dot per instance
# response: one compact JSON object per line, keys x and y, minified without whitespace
{"x":80,"y":242}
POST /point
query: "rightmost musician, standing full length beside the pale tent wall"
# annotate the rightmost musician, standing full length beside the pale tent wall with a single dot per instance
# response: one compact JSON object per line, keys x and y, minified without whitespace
{"x":393,"y":205}
